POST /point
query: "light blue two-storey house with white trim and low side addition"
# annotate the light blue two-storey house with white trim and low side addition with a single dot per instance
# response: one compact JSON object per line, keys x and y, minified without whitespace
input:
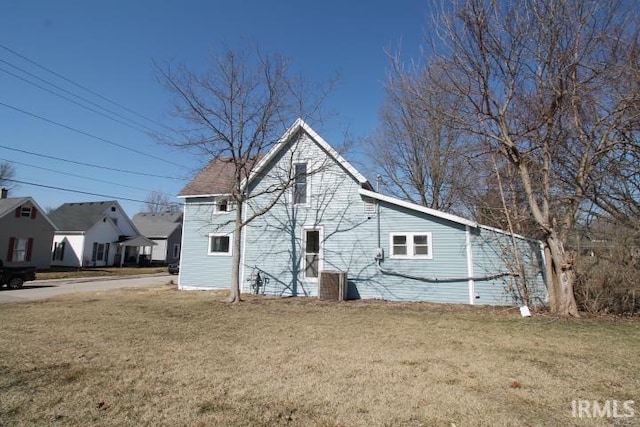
{"x":328,"y":218}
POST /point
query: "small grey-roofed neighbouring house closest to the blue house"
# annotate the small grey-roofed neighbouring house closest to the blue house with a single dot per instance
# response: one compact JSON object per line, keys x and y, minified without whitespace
{"x":165,"y":230}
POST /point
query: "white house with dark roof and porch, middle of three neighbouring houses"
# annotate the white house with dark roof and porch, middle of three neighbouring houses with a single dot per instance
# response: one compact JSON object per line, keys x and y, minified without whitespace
{"x":95,"y":234}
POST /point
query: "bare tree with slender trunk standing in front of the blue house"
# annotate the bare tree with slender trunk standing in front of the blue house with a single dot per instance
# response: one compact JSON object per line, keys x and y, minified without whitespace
{"x":237,"y":111}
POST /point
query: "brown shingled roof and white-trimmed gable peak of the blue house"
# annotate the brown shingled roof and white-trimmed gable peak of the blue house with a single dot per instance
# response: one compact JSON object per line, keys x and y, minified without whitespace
{"x":216,"y":178}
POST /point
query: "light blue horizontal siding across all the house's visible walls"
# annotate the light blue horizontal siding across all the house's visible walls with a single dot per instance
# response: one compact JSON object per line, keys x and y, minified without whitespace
{"x":273,"y":243}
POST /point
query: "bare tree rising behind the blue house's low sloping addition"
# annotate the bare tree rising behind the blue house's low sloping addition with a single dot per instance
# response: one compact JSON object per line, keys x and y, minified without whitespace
{"x":421,"y":157}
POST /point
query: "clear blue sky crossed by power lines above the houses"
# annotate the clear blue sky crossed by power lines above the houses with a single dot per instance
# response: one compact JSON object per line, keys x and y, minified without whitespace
{"x":108,"y":47}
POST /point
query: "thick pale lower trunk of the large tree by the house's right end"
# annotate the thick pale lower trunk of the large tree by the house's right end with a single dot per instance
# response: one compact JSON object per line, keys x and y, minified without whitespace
{"x":560,"y":276}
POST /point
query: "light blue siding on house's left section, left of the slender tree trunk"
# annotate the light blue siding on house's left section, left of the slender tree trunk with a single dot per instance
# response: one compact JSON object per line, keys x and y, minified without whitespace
{"x":197,"y":268}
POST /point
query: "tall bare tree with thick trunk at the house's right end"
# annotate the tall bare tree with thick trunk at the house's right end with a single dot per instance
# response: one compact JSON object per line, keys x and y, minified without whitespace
{"x":539,"y":82}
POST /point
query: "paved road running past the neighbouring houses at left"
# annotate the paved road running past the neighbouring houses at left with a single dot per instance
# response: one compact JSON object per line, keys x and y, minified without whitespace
{"x":41,"y":289}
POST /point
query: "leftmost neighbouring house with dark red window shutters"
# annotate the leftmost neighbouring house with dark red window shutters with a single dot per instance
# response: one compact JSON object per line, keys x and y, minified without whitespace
{"x":26,"y":233}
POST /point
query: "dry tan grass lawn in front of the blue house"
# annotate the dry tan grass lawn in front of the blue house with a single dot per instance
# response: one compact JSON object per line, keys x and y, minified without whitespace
{"x":165,"y":357}
